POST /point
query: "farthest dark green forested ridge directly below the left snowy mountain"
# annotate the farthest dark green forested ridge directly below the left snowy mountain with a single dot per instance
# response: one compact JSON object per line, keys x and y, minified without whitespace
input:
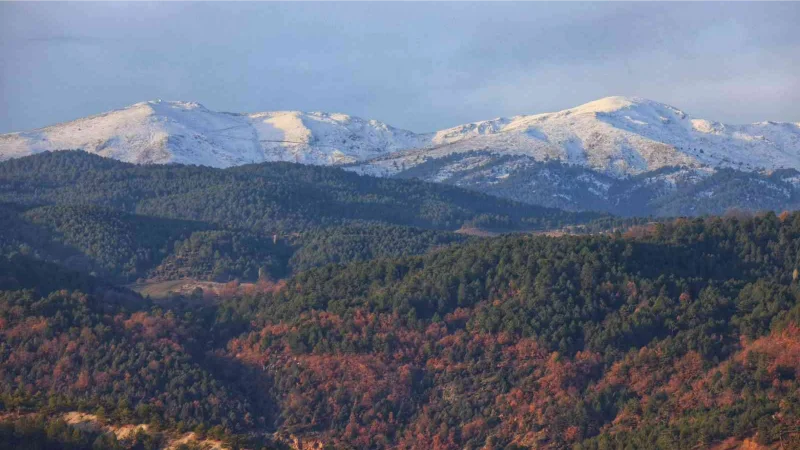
{"x":270,"y":197}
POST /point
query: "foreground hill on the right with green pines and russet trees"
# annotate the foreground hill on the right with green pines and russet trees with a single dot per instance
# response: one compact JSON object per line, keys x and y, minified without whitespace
{"x":673,"y":336}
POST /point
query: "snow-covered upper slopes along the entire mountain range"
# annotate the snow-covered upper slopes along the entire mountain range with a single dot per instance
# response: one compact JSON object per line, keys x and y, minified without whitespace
{"x":615,"y":136}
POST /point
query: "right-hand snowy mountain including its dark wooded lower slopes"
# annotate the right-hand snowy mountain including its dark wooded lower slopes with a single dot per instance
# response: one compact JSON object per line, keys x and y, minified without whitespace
{"x":627,"y":156}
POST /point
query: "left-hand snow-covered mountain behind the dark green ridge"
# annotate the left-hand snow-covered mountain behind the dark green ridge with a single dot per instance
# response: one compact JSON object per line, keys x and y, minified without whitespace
{"x":160,"y":132}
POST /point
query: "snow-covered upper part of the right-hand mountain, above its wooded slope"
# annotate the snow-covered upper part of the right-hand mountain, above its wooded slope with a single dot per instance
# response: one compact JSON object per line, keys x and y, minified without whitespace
{"x":617,"y":136}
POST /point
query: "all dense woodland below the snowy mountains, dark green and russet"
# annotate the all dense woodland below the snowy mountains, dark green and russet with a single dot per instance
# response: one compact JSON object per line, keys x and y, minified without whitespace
{"x":680,"y":334}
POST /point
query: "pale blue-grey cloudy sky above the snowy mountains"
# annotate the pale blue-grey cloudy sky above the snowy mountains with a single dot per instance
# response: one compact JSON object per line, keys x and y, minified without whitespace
{"x":419,"y":65}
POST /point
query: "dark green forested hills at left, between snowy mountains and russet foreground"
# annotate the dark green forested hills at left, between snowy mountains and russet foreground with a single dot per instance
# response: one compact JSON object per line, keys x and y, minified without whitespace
{"x":127,"y":222}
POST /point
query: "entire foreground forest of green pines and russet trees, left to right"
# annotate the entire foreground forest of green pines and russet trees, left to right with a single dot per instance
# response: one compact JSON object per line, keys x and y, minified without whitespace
{"x":678,"y":335}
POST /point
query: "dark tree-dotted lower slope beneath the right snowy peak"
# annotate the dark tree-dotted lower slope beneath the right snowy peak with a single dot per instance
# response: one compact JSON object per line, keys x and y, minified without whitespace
{"x":669,"y":191}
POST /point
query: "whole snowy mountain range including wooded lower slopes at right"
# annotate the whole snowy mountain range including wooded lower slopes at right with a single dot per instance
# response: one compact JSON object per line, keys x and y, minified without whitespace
{"x":624,"y":155}
